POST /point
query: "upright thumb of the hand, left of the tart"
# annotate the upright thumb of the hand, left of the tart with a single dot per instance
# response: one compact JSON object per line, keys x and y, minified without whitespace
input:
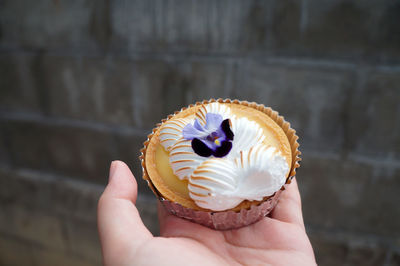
{"x":119,"y":223}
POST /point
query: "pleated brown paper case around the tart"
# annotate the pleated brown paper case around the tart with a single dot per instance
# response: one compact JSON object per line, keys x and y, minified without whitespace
{"x":226,"y":220}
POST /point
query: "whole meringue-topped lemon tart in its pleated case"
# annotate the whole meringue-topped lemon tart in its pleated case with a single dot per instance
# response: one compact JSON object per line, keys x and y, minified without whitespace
{"x":220,"y":156}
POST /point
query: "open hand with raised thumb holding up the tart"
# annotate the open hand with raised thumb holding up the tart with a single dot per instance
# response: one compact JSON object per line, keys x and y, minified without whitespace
{"x":279,"y":239}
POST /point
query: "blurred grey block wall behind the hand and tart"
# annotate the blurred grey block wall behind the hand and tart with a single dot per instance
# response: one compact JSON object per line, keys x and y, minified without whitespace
{"x":82,"y":83}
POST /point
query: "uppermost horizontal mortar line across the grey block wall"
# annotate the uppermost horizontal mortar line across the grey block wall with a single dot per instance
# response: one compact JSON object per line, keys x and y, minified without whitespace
{"x":214,"y":56}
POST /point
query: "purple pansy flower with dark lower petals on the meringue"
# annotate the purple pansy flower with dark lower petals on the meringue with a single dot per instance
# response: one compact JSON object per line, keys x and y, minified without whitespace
{"x":214,"y":138}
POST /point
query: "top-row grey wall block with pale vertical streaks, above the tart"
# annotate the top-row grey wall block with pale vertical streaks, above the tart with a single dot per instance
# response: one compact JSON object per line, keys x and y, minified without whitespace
{"x":190,"y":26}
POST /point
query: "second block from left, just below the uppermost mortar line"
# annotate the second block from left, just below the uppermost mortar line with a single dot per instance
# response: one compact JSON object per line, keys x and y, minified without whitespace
{"x":94,"y":89}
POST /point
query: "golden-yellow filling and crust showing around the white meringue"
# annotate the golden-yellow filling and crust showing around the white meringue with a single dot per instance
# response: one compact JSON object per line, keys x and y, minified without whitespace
{"x":172,"y":188}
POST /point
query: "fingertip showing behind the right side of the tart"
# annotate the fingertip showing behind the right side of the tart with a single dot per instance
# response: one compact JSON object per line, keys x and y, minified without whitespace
{"x":288,"y":208}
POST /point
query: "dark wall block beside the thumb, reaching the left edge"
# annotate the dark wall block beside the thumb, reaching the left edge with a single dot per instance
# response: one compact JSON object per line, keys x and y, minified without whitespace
{"x":44,"y":193}
